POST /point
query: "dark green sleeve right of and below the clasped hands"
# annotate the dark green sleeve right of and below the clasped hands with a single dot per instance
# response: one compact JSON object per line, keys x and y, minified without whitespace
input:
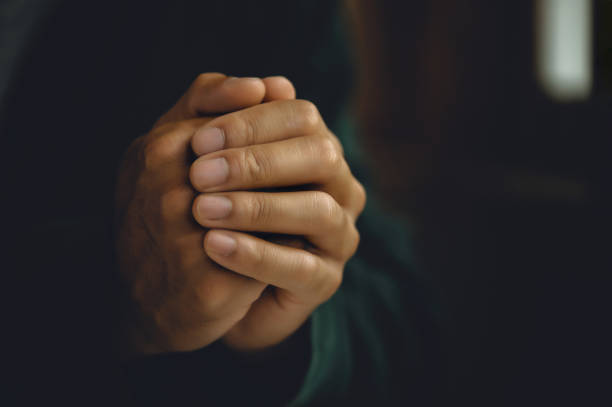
{"x":376,"y":339}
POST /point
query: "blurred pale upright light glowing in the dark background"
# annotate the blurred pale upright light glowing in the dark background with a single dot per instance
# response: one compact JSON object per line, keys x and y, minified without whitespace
{"x":564,"y":48}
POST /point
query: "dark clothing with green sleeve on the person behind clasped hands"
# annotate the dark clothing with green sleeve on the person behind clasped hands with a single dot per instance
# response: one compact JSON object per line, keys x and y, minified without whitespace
{"x":96,"y":75}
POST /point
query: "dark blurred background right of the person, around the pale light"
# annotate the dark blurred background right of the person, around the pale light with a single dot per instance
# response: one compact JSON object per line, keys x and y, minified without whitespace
{"x":508,"y":189}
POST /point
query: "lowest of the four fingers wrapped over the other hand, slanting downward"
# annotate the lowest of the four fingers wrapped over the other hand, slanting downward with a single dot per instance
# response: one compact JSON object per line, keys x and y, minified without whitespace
{"x":284,"y":267}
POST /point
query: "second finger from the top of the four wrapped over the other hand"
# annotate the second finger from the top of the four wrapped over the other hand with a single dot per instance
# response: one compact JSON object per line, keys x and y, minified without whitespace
{"x":295,"y":161}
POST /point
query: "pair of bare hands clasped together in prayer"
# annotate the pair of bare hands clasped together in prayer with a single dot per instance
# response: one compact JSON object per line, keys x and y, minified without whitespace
{"x":193,"y":270}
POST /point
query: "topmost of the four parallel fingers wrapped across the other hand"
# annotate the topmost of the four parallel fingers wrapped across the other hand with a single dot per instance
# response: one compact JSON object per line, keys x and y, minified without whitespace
{"x":259,"y":124}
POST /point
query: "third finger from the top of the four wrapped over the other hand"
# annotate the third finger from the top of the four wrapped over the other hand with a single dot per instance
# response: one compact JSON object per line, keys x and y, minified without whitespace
{"x":313,"y":214}
